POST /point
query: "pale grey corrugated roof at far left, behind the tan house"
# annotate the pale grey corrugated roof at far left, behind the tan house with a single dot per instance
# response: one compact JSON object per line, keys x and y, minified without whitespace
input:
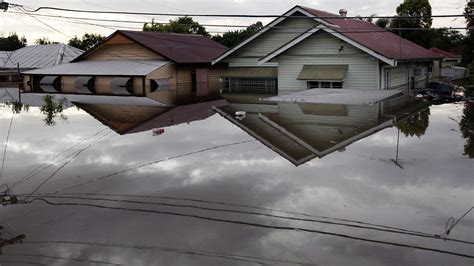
{"x":38,"y":56}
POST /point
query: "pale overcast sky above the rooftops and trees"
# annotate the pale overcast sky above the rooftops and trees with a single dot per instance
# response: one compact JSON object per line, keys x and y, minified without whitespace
{"x":11,"y":21}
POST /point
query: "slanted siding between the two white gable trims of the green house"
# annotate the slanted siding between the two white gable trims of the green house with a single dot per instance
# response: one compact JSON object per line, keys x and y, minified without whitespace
{"x":248,"y":55}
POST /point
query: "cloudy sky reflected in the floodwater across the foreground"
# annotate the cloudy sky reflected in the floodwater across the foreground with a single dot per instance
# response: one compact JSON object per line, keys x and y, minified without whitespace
{"x":360,"y":183}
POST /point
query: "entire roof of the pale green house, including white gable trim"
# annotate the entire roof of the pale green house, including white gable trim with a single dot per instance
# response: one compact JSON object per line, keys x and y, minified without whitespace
{"x":377,"y":41}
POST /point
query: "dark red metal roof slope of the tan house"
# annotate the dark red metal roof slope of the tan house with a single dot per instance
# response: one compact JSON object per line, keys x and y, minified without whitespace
{"x":181,"y":48}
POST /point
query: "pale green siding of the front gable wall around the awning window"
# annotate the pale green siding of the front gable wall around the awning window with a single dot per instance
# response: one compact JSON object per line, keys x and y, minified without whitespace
{"x":325,"y":49}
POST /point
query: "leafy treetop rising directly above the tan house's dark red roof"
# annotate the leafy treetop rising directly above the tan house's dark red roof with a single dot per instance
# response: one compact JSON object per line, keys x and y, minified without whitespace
{"x":184,"y":25}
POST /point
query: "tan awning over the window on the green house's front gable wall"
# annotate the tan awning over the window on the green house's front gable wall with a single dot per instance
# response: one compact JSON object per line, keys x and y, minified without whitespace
{"x":323,"y":72}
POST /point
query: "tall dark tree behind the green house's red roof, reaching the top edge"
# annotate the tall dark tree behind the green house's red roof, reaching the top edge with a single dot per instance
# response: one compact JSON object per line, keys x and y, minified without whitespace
{"x":421,"y":9}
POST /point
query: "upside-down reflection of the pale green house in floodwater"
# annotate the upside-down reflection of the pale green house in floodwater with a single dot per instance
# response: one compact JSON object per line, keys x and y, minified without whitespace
{"x":301,"y":132}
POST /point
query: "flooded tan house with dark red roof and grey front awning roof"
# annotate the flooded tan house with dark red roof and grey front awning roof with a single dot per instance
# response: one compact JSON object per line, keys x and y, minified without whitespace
{"x":167,"y":67}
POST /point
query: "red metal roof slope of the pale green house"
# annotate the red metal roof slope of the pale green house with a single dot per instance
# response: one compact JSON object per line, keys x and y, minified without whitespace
{"x":375,"y":38}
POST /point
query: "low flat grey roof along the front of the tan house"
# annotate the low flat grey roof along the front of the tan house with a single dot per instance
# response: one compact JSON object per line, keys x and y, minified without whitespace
{"x":103,"y":68}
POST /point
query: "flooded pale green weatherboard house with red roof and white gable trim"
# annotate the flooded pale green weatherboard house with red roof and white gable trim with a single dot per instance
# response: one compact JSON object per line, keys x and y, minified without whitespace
{"x":307,"y":48}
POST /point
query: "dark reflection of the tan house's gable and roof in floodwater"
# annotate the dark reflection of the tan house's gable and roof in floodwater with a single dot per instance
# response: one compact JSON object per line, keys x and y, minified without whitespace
{"x":129,"y":119}
